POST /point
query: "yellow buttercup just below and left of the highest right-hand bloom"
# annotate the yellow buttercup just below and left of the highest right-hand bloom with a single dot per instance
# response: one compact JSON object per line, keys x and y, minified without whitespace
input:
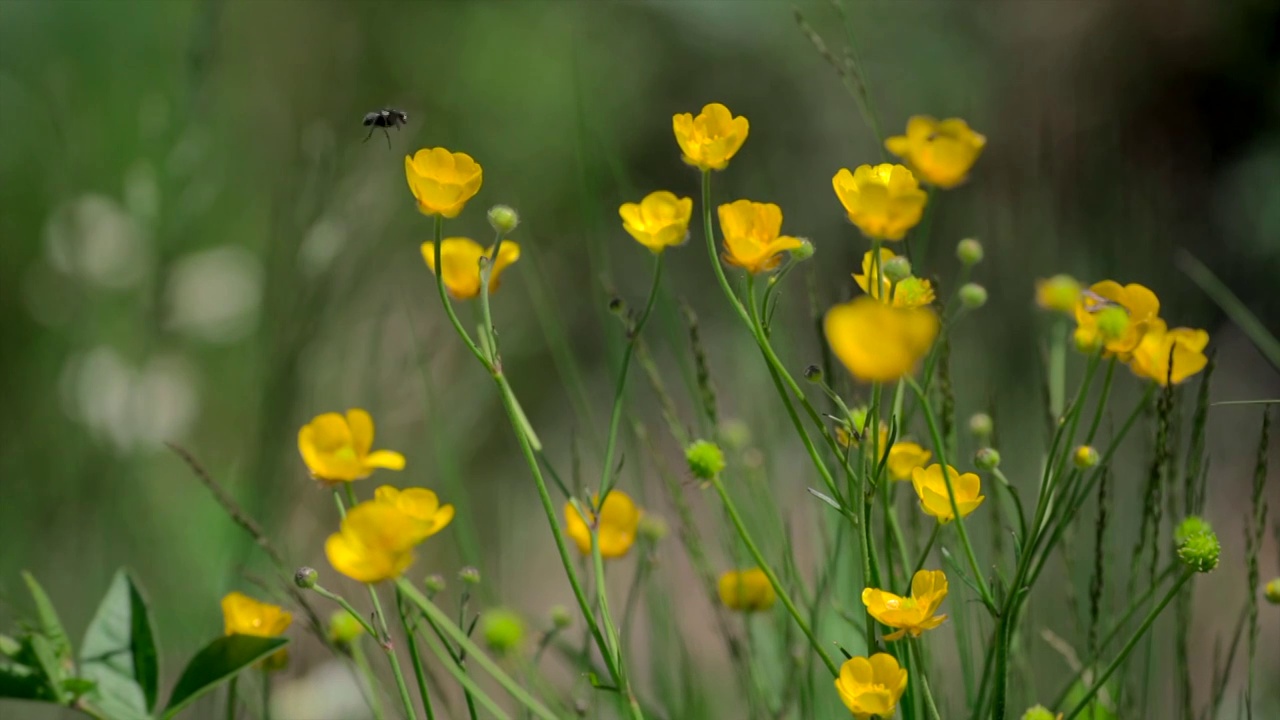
{"x":884,"y":202}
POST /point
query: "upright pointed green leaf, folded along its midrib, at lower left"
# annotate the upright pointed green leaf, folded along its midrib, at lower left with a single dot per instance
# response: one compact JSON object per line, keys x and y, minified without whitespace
{"x":120,"y":651}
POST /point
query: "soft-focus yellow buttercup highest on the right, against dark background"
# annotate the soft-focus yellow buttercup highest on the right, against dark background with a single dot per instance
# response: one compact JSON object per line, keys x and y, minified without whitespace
{"x":939,"y":152}
